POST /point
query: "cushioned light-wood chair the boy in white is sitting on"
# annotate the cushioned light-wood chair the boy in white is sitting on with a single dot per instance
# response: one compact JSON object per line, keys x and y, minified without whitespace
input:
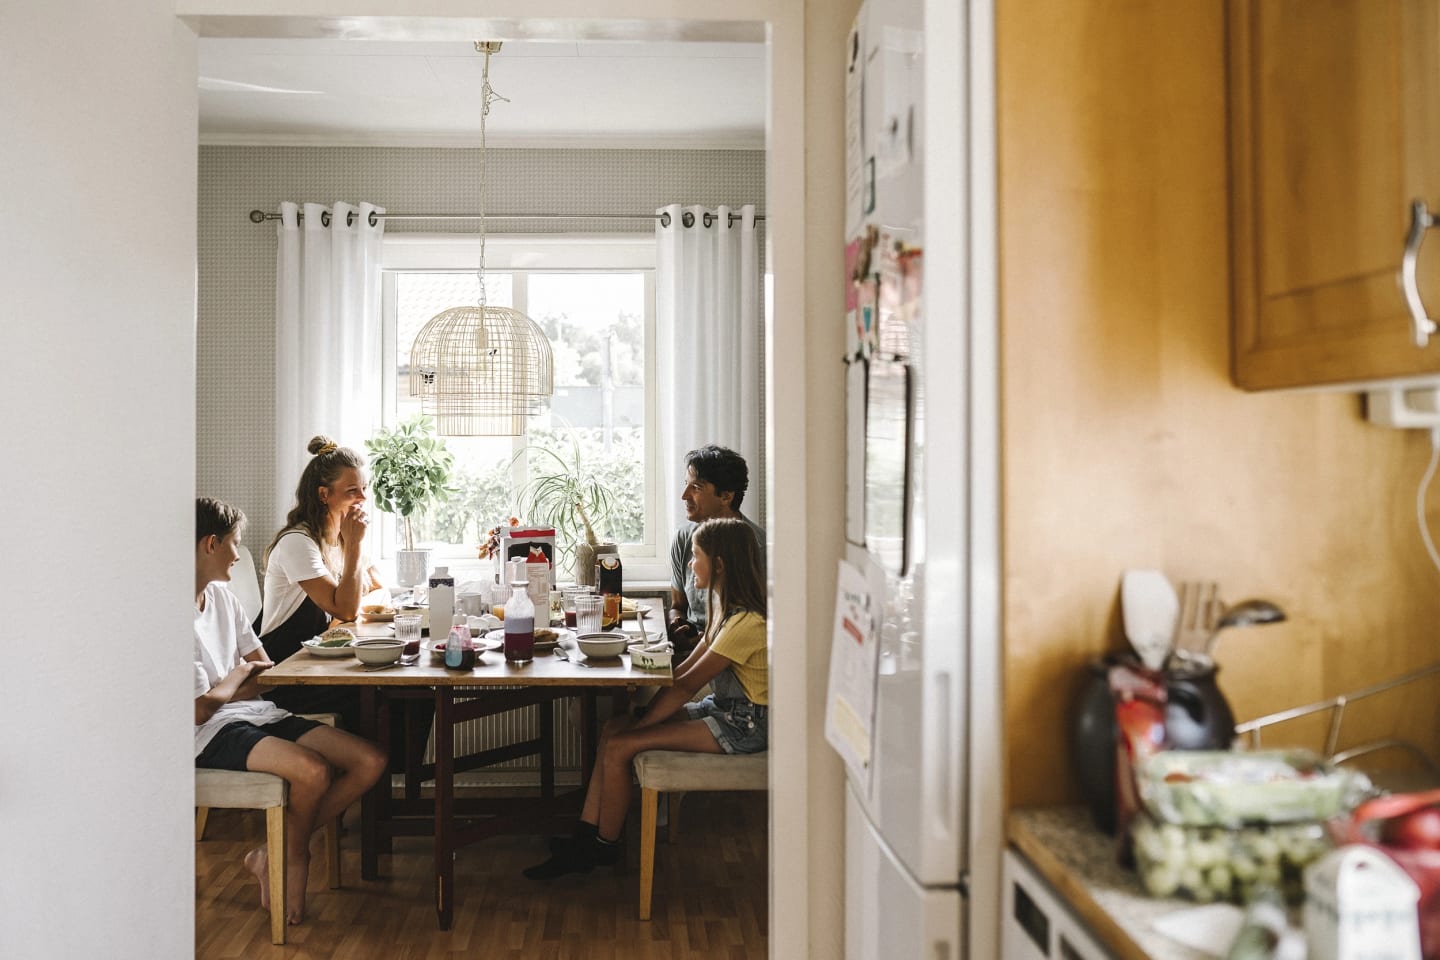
{"x":247,"y":791}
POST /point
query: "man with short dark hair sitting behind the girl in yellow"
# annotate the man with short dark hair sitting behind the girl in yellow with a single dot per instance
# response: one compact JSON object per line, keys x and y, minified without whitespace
{"x":716,"y":480}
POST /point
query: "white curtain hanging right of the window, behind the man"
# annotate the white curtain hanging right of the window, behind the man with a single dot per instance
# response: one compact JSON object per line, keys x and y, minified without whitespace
{"x":708,"y":343}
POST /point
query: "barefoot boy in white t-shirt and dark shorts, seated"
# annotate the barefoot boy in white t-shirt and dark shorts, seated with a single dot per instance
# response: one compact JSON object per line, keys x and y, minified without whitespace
{"x":326,"y":769}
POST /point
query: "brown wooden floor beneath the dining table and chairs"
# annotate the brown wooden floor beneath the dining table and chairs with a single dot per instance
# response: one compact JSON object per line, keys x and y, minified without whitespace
{"x":711,"y":897}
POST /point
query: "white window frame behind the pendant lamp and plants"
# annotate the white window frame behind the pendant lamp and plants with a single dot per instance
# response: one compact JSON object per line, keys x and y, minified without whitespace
{"x":523,"y":257}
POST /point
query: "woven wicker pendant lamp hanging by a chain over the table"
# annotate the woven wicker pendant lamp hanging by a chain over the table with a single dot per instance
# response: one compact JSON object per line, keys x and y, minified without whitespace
{"x":482,"y":371}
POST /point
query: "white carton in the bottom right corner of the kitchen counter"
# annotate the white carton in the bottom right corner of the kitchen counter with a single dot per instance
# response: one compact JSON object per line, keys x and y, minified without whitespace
{"x":1360,"y":906}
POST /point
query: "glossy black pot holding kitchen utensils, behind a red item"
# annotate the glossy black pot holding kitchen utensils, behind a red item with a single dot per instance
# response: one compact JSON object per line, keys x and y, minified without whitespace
{"x":1197,"y":717}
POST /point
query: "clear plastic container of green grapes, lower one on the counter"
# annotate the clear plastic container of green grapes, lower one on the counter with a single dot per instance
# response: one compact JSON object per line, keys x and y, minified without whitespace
{"x":1219,"y":864}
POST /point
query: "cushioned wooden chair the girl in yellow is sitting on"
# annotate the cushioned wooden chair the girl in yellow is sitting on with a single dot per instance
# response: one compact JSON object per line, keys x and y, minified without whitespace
{"x":676,"y":774}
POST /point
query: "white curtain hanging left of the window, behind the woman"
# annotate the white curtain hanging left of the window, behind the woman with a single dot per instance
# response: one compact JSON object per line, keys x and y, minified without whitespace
{"x":328,"y":333}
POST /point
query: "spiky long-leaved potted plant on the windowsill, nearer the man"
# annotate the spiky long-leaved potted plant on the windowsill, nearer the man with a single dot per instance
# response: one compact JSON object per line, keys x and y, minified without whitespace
{"x":565,"y":494}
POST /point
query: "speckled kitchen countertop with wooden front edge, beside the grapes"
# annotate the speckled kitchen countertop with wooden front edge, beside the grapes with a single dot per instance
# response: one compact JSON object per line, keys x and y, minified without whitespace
{"x":1078,"y":861}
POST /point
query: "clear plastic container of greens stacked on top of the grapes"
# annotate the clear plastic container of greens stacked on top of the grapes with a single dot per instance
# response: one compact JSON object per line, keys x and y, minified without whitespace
{"x":1212,"y":788}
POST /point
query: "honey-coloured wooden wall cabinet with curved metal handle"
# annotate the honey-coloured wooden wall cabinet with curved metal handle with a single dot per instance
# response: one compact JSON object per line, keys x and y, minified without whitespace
{"x":1334,"y":129}
